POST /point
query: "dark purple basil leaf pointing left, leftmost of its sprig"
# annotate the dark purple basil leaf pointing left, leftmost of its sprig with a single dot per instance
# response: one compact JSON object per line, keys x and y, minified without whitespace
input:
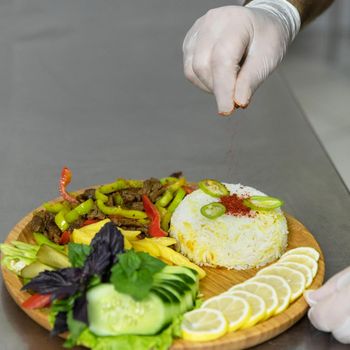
{"x":59,"y":283}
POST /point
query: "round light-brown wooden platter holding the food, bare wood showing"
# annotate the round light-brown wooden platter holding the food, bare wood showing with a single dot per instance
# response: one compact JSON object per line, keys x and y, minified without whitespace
{"x":217,"y":281}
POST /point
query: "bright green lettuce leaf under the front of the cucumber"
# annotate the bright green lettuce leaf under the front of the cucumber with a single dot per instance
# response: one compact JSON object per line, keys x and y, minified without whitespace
{"x":161,"y":341}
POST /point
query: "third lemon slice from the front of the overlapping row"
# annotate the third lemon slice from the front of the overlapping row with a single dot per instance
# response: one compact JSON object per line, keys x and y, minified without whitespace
{"x":257,"y":306}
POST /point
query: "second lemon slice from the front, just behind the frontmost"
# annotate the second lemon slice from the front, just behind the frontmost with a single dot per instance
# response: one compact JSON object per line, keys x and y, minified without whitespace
{"x":235,"y":309}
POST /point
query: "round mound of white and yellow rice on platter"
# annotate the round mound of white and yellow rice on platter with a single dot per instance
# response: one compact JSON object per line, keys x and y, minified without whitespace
{"x":238,"y":242}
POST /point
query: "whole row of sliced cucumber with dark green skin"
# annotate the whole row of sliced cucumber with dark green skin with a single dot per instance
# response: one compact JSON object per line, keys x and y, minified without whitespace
{"x":112,"y":313}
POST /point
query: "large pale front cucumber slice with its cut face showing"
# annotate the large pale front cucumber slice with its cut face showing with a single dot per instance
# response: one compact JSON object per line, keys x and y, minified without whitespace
{"x":113,"y":313}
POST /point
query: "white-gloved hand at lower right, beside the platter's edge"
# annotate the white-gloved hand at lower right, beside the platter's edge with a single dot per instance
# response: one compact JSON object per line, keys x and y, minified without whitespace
{"x":330,"y":306}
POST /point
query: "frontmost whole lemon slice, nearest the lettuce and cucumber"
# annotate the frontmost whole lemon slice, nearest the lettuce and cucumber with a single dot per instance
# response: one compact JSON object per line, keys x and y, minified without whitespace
{"x":203,"y":325}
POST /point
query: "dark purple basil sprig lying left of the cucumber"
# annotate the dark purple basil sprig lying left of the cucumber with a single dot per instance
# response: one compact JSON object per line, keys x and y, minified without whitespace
{"x":73,"y":282}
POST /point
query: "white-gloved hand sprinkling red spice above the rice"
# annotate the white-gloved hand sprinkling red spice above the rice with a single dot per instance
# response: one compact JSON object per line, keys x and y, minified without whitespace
{"x":231,"y":50}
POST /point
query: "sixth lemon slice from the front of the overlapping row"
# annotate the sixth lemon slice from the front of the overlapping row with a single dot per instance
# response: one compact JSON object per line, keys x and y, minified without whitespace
{"x":295,"y":279}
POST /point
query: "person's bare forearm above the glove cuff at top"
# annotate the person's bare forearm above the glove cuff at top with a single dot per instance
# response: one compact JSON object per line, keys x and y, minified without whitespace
{"x":308,"y":9}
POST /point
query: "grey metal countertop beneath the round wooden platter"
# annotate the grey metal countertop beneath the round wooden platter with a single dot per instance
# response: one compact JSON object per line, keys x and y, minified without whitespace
{"x":98,"y":86}
